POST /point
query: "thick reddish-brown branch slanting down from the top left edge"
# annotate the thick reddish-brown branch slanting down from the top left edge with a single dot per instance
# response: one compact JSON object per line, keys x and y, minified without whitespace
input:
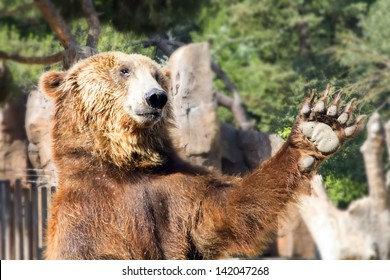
{"x":56,"y":22}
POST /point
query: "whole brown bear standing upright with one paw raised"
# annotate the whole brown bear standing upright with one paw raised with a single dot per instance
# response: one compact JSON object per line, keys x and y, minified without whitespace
{"x":125,"y":194}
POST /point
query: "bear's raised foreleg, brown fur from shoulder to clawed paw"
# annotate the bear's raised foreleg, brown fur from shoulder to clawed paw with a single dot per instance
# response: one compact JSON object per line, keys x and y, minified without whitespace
{"x":240,"y":219}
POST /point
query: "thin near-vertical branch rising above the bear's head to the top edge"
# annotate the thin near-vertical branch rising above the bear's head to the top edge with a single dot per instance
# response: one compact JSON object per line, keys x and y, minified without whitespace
{"x":93,"y":23}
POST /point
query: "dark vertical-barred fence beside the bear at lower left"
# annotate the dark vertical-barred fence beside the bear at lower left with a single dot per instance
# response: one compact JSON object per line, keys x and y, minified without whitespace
{"x":23,"y":219}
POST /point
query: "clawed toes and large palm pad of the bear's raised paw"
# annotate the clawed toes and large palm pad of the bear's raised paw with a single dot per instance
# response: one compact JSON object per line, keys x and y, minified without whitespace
{"x":324,"y":126}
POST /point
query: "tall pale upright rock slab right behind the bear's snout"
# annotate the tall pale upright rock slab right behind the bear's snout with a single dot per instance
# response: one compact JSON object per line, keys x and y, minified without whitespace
{"x":194,"y":106}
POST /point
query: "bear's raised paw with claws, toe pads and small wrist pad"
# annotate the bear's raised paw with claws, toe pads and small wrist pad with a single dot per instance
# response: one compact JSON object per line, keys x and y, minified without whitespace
{"x":324,"y":126}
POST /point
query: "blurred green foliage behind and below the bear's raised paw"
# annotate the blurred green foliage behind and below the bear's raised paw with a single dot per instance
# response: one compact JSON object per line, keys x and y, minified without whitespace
{"x":276,"y":51}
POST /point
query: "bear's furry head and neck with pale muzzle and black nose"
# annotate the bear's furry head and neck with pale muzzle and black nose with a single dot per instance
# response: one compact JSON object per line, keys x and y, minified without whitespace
{"x":111,"y":106}
